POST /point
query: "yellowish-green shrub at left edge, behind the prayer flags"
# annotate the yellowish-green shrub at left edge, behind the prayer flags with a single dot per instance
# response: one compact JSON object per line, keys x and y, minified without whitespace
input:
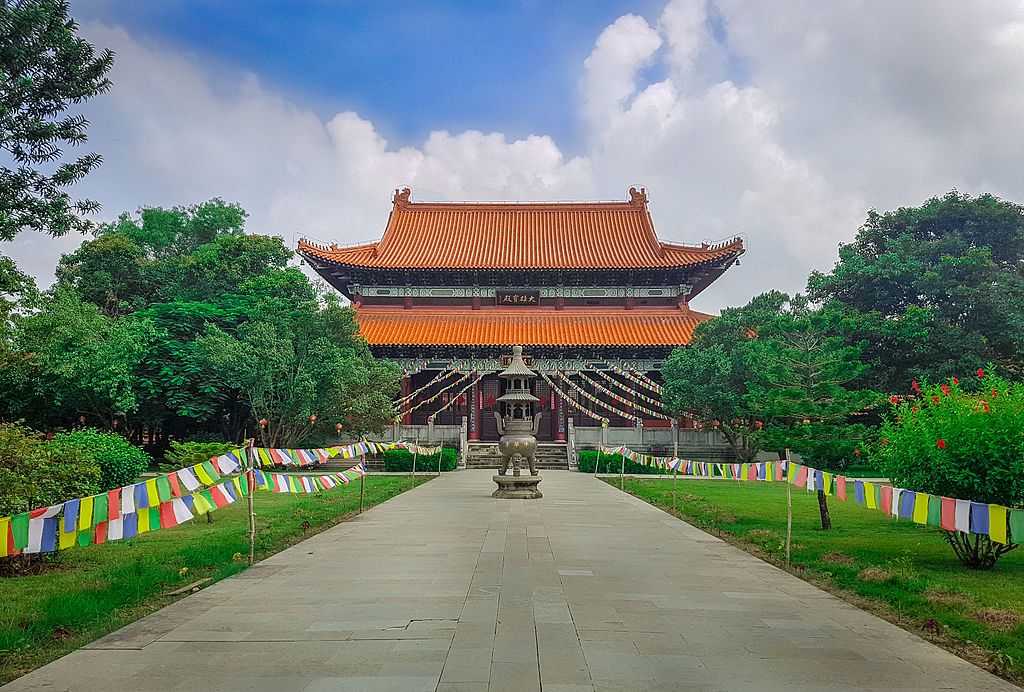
{"x":36,"y":473}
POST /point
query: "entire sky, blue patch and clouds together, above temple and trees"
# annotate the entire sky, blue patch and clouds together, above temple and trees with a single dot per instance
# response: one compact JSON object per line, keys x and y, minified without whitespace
{"x":782,"y":122}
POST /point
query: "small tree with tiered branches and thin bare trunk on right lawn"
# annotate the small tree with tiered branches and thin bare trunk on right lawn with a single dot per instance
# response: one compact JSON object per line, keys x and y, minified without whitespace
{"x":800,"y":390}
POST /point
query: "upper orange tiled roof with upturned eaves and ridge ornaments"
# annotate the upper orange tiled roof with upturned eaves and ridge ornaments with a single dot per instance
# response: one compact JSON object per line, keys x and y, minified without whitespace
{"x":534,"y":236}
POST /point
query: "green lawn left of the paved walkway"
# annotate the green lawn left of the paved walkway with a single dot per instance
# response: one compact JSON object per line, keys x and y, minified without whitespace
{"x":87,"y":593}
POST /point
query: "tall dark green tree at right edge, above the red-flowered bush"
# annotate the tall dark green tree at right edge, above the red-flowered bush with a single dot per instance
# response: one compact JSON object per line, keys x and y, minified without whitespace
{"x":933,"y":290}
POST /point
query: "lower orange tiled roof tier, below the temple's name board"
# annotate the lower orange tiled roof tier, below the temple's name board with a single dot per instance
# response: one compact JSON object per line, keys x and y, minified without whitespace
{"x":589,"y":327}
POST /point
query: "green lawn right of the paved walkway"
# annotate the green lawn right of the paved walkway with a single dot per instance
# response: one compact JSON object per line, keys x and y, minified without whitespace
{"x":900,"y":571}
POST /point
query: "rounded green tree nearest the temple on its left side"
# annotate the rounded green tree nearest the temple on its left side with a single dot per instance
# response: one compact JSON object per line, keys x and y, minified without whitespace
{"x":304,"y":373}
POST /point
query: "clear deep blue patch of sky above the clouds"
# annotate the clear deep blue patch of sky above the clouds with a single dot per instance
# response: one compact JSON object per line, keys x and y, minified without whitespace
{"x":409,"y":67}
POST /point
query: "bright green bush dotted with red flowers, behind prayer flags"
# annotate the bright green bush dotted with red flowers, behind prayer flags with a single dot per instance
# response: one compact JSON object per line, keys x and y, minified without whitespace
{"x":947,"y":441}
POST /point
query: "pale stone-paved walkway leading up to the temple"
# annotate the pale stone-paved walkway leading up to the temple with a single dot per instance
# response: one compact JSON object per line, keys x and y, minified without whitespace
{"x":446,"y":589}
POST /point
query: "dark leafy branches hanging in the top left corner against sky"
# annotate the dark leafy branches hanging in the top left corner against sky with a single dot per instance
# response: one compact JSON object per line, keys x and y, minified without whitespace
{"x":46,"y":67}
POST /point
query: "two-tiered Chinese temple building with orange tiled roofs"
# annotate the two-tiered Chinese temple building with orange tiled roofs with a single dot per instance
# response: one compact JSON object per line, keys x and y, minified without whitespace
{"x":595,"y":299}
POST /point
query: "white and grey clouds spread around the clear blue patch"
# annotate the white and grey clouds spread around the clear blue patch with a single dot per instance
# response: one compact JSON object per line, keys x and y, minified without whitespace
{"x":784,"y":125}
